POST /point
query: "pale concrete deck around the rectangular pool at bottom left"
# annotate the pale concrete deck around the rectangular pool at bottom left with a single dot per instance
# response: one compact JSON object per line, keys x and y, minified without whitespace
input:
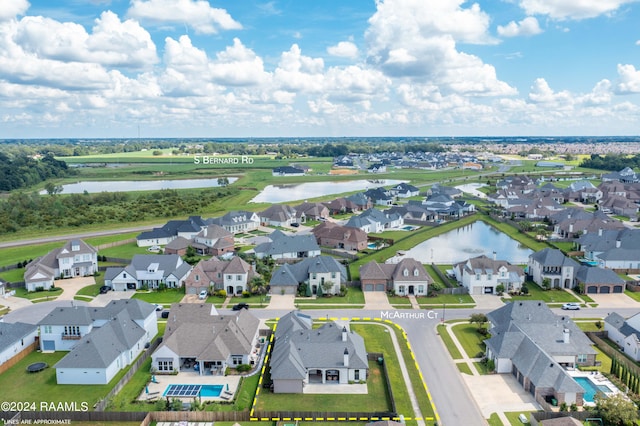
{"x":190,"y":378}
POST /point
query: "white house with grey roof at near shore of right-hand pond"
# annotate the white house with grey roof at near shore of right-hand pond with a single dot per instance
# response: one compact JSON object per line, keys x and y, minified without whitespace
{"x":481,"y":275}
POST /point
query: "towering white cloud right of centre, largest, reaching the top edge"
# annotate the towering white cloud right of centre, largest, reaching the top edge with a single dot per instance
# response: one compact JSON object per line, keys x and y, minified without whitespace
{"x":417,"y":39}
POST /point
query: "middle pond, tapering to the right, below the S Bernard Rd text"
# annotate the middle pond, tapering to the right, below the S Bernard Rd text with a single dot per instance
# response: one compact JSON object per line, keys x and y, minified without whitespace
{"x":304,"y":191}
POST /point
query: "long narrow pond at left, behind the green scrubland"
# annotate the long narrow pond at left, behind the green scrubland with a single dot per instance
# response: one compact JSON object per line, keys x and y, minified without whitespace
{"x":138,"y":185}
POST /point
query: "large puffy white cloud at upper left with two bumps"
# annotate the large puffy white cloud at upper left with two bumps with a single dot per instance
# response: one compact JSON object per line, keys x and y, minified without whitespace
{"x":112,"y":42}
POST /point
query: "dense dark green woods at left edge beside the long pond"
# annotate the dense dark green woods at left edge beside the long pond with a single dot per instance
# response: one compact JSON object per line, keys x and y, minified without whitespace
{"x":23,"y":171}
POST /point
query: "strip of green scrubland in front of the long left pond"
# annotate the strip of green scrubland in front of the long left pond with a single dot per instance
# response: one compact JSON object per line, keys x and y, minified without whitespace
{"x":33,"y":211}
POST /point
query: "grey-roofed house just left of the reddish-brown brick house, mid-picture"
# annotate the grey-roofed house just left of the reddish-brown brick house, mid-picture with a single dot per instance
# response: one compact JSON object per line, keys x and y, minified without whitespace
{"x":284,"y":246}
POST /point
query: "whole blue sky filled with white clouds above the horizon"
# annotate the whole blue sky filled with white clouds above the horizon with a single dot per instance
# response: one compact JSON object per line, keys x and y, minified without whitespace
{"x":198,"y":68}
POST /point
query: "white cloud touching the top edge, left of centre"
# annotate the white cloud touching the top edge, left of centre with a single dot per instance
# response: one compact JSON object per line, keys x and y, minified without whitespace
{"x":198,"y":14}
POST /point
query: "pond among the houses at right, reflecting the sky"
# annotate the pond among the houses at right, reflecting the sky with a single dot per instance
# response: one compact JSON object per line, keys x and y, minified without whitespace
{"x":469,"y":241}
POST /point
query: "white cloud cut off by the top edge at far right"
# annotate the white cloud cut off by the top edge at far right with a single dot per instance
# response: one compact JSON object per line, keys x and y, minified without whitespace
{"x":571,"y":9}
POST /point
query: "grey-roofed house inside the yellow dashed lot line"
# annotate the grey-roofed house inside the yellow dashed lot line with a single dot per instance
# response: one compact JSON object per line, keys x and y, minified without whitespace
{"x":305,"y":355}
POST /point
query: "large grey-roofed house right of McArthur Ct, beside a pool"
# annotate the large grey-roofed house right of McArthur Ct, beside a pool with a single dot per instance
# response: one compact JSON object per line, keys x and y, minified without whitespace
{"x":537,"y":346}
